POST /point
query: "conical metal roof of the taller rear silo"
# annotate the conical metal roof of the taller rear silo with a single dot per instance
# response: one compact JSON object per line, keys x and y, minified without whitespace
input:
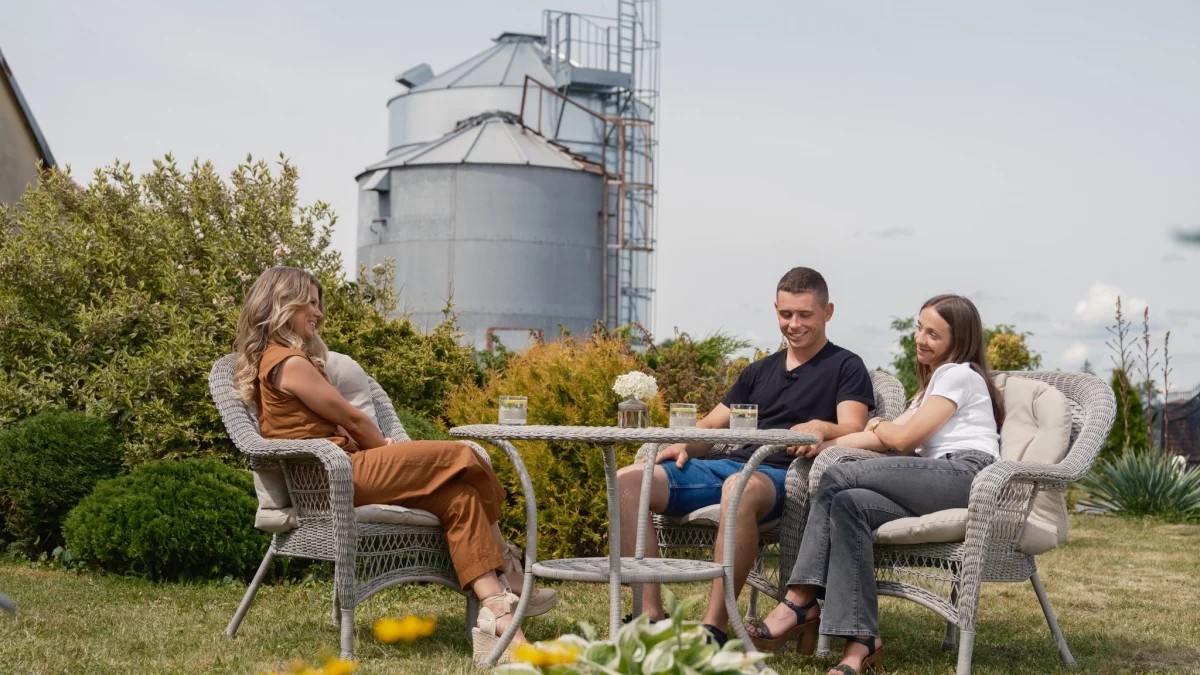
{"x":506,"y":64}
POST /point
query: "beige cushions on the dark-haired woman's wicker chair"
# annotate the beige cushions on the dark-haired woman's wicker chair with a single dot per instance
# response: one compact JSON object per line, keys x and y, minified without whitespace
{"x":1037,"y":428}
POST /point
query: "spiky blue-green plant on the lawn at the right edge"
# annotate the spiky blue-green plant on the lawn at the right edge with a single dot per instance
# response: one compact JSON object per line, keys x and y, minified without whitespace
{"x":1143,"y":483}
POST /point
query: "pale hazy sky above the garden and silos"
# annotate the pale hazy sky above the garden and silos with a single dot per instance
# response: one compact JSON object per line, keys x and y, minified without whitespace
{"x":1034,"y":157}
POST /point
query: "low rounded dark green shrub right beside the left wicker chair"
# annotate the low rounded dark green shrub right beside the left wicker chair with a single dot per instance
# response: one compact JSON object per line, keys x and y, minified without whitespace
{"x":171,"y":521}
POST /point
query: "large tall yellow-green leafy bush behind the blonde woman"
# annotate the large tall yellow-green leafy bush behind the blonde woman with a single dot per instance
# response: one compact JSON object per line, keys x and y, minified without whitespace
{"x":117,"y":298}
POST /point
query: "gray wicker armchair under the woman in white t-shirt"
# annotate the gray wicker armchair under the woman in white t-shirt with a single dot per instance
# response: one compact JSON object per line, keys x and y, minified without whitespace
{"x":946,"y":577}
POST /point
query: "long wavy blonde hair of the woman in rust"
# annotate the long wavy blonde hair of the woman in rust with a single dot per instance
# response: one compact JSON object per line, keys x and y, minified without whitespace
{"x":267,"y":318}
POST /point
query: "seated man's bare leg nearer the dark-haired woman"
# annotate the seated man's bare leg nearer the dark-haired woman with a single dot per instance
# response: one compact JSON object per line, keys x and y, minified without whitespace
{"x":758,"y":500}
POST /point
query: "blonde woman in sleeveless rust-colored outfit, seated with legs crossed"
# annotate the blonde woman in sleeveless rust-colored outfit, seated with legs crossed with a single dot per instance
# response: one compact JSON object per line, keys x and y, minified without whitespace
{"x":281,"y":368}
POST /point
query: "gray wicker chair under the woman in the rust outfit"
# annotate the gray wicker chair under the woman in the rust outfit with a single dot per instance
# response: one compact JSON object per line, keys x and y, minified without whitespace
{"x":368,"y":557}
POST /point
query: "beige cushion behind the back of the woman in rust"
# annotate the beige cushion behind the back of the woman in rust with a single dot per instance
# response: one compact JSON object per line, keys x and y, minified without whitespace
{"x":275,"y":513}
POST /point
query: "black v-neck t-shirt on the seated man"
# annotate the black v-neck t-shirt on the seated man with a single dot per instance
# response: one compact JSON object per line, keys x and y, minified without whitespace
{"x":812,"y":391}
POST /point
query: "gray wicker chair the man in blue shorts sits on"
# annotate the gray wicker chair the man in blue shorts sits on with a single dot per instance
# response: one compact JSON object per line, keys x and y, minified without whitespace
{"x":694,"y":536}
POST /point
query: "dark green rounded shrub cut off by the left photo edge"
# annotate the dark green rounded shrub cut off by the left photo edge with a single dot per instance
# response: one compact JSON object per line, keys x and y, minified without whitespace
{"x":47,"y":464}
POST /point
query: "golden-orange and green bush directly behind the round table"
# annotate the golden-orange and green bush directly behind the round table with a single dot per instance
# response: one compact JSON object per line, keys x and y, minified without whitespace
{"x":568,"y":383}
